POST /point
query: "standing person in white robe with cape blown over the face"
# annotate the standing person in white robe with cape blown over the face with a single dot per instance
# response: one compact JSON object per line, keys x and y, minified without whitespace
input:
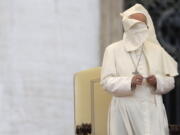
{"x":137,"y":71}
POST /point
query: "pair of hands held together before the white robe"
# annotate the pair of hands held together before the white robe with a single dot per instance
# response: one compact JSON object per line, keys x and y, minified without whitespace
{"x":138,"y":79}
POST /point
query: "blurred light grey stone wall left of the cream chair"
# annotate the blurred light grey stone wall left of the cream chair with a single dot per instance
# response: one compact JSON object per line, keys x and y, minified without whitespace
{"x":42,"y":44}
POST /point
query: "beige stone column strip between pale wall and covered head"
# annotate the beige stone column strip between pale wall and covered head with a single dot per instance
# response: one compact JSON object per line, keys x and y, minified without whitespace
{"x":111,"y":26}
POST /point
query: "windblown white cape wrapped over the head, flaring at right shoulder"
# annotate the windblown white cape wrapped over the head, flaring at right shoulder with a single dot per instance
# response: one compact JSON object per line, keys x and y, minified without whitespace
{"x":151,"y":43}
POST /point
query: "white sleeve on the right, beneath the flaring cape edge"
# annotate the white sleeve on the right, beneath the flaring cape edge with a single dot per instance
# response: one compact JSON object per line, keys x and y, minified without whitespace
{"x":164,"y":84}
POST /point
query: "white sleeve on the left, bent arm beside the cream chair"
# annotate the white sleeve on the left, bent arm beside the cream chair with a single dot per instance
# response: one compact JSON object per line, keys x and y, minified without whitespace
{"x":110,"y":81}
